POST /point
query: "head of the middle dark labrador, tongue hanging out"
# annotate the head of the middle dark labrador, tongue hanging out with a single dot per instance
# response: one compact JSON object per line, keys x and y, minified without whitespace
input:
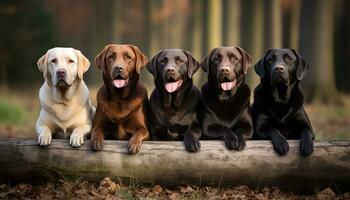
{"x":171,"y":68}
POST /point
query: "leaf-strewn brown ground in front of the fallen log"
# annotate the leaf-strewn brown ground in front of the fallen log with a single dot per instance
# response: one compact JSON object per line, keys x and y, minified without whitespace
{"x":107,"y":189}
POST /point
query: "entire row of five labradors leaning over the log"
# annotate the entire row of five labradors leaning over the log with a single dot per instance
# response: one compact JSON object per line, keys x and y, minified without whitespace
{"x":176,"y":109}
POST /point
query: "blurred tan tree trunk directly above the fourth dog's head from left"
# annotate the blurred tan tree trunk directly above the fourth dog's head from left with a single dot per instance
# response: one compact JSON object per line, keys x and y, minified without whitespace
{"x":232,"y":16}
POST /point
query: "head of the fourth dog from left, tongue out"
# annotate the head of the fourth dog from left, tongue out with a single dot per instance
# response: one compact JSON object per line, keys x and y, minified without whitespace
{"x":226,"y":67}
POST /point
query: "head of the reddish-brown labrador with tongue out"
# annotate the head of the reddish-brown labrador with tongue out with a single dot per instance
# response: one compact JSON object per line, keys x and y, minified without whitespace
{"x":120,"y":64}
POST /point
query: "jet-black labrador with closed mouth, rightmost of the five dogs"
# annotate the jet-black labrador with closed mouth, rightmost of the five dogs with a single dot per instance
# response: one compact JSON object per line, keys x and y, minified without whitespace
{"x":277,"y":111}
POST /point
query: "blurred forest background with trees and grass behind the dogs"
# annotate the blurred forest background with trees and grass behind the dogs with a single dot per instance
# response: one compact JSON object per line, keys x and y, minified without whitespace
{"x":319,"y":30}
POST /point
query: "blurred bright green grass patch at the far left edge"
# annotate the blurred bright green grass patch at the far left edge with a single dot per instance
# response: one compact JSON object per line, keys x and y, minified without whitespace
{"x":11,"y":113}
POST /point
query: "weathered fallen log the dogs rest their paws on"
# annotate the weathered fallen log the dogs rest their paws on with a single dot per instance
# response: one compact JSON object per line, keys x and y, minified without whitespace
{"x":168,"y":163}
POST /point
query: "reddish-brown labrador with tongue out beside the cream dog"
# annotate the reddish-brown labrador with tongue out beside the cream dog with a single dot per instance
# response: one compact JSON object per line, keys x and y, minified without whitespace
{"x":121,"y":101}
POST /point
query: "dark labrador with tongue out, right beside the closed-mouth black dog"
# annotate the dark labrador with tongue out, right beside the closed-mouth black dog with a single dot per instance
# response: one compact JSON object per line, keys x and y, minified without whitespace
{"x":226,"y":97}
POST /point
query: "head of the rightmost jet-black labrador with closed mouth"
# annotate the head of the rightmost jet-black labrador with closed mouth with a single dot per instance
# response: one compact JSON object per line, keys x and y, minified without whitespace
{"x":281,"y":67}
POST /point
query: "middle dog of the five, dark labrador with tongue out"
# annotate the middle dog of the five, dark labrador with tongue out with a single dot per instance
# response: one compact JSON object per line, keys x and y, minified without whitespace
{"x":175,"y":100}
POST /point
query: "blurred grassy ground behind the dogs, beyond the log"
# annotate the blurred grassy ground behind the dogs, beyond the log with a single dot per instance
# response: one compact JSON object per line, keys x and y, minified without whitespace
{"x":19,"y":110}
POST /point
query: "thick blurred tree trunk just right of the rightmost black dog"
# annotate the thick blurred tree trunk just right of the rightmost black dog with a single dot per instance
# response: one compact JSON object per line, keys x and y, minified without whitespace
{"x":317,"y":48}
